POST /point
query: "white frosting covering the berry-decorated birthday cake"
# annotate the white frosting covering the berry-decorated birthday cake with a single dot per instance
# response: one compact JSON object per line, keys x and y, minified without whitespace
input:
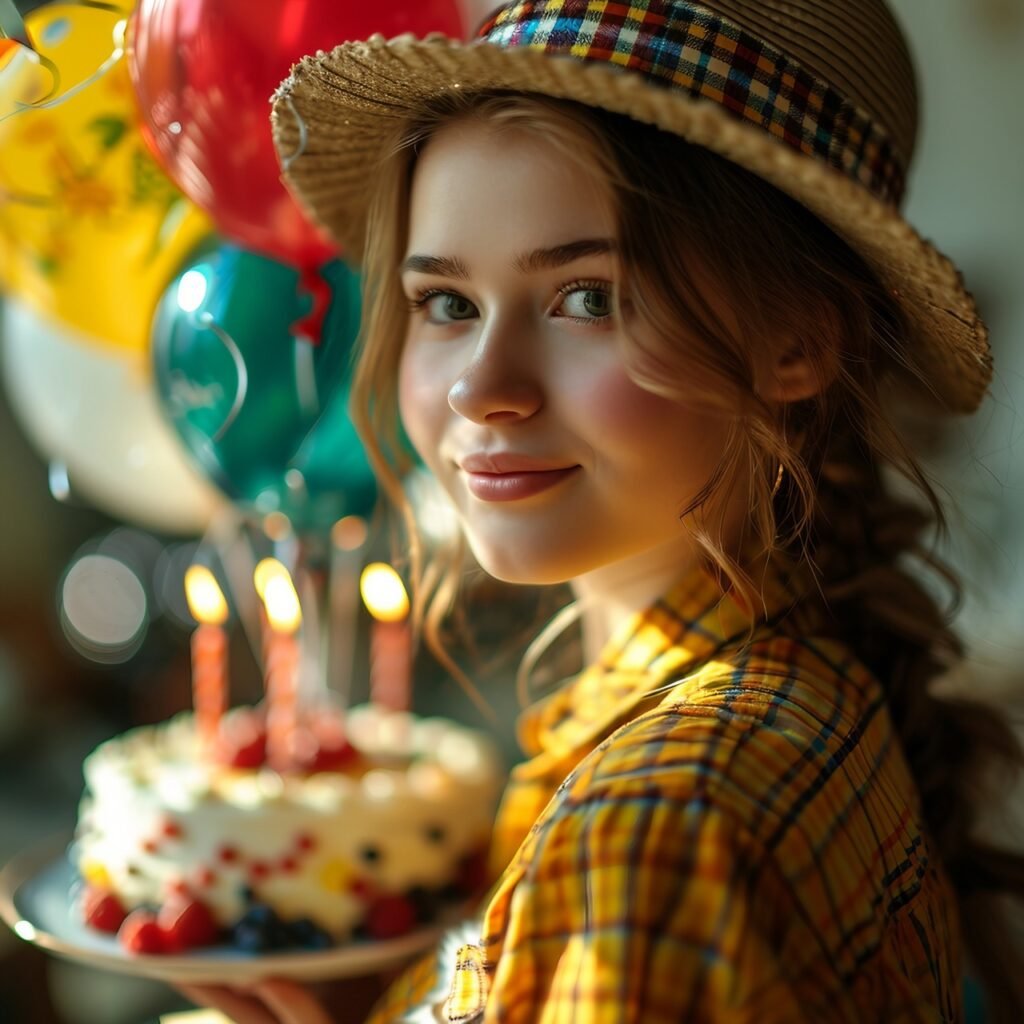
{"x":154,"y":815}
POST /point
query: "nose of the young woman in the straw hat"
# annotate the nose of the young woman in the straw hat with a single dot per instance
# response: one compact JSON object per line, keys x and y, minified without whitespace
{"x":502,"y":381}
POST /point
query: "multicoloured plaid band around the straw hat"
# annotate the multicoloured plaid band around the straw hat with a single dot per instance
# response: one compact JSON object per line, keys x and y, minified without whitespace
{"x":685,"y":47}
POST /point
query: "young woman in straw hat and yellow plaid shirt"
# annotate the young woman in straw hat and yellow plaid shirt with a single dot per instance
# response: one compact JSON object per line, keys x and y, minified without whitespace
{"x":641,"y":291}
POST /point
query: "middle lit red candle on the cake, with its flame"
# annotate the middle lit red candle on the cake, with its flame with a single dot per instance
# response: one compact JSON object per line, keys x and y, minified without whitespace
{"x":281,"y":667}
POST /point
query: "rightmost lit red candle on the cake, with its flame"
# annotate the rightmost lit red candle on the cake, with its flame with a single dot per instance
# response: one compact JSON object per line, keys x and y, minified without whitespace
{"x":391,"y":641}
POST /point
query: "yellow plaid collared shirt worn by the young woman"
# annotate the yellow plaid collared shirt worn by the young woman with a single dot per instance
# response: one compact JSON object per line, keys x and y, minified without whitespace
{"x":714,"y":826}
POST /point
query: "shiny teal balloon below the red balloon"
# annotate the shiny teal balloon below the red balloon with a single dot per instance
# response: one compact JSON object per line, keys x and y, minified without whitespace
{"x":263,"y":410}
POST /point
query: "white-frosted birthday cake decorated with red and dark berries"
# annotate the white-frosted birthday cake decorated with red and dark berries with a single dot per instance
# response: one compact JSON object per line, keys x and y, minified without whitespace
{"x":382,"y":826}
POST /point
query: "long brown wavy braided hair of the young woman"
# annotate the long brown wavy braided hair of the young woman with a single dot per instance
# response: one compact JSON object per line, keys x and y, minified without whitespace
{"x":821,"y":478}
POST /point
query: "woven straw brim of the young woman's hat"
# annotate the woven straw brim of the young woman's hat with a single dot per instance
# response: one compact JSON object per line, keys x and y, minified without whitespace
{"x":337,"y":113}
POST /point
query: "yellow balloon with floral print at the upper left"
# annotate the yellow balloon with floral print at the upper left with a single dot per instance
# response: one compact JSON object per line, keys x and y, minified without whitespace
{"x":92,"y":231}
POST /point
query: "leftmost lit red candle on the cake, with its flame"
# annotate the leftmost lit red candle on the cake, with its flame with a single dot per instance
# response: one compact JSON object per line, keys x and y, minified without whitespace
{"x":209,"y":652}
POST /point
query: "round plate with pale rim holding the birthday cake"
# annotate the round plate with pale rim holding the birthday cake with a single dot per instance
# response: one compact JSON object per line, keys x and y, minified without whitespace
{"x":35,"y":902}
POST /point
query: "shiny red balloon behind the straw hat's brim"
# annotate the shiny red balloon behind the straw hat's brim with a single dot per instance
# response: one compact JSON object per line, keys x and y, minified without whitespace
{"x":204,"y":72}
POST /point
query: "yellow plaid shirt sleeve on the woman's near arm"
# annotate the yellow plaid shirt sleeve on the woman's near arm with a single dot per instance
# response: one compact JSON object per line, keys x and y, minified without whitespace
{"x":645,"y":905}
